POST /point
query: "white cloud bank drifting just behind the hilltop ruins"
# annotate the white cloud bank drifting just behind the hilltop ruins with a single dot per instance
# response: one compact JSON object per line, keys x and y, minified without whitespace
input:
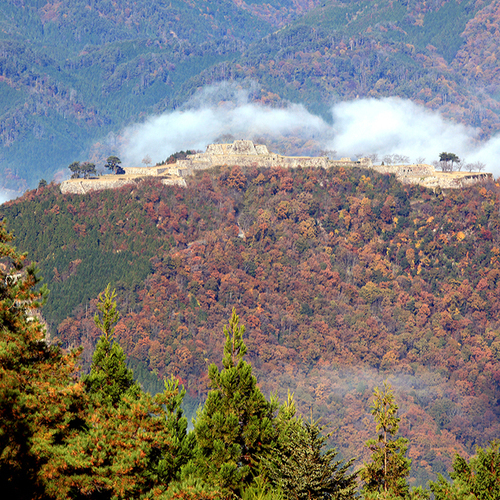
{"x":368,"y":126}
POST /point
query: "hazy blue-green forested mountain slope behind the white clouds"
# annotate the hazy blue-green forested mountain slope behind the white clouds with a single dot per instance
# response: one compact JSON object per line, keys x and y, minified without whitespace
{"x":73,"y":74}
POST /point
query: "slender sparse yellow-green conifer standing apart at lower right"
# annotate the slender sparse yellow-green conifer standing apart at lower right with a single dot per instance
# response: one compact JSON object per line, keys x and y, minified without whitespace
{"x":385,"y":476}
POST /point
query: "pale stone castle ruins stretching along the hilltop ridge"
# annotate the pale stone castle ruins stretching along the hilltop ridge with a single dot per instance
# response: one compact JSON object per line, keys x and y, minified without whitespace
{"x":247,"y":154}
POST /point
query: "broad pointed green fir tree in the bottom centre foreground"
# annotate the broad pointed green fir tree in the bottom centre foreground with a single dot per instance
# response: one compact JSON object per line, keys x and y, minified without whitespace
{"x":235,"y":427}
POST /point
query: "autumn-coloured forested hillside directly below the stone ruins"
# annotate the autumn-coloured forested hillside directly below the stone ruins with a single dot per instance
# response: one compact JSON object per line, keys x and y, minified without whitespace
{"x":342,"y":277}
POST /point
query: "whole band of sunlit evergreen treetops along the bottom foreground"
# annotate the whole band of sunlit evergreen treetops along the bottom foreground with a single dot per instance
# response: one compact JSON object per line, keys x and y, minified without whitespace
{"x":101,"y":436}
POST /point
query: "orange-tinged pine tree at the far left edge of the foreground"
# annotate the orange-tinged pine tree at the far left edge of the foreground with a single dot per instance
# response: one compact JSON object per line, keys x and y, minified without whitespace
{"x":41,"y":407}
